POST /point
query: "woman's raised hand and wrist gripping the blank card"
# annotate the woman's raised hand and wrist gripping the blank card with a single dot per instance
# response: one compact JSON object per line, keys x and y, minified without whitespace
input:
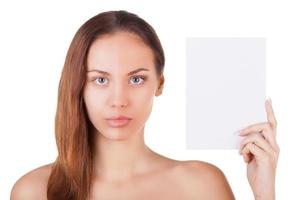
{"x":260,"y":150}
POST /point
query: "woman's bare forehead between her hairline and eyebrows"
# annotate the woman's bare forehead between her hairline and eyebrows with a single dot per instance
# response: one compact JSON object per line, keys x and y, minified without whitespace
{"x":119,"y":50}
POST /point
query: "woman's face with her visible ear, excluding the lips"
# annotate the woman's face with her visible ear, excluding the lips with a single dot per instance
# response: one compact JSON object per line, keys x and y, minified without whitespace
{"x":127,"y":87}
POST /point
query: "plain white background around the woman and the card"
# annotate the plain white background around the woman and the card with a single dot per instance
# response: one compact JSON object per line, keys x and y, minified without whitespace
{"x":34,"y":39}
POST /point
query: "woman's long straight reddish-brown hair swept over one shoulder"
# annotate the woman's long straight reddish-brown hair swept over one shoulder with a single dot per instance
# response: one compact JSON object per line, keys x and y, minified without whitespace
{"x":71,"y":174}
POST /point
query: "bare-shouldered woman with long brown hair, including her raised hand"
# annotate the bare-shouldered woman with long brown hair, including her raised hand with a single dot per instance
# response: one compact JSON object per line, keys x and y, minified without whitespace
{"x":113,"y":70}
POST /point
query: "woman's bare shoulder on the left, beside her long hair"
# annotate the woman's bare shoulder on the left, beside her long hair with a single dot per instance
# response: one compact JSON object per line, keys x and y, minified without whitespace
{"x":32,"y":185}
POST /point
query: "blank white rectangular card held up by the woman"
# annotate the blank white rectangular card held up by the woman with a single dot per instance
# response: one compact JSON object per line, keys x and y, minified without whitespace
{"x":225,"y":90}
